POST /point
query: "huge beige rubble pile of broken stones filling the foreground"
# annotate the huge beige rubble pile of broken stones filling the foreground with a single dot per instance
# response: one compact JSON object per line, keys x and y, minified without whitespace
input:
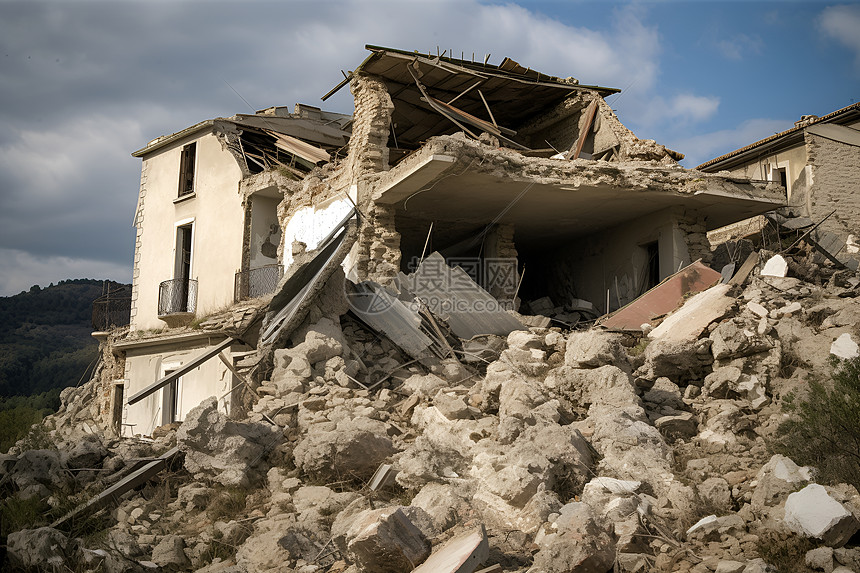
{"x":547,"y":450}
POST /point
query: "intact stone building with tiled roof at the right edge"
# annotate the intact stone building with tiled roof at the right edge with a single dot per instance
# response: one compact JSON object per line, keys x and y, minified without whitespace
{"x":817,"y":164}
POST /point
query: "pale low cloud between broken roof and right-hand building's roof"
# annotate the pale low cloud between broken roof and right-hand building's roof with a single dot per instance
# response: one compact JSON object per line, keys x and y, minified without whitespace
{"x":706,"y":146}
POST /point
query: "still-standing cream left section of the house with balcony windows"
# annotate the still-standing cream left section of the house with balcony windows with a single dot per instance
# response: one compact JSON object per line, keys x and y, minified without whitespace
{"x":207,"y":236}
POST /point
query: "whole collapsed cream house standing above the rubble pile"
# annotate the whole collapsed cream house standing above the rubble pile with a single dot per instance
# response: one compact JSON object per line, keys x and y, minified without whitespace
{"x":513,"y":170}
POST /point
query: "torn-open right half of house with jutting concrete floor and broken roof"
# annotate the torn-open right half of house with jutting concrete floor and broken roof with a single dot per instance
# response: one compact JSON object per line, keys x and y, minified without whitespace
{"x":505,"y":161}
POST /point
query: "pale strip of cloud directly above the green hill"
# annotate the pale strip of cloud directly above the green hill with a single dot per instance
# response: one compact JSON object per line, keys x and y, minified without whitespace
{"x":21,"y":270}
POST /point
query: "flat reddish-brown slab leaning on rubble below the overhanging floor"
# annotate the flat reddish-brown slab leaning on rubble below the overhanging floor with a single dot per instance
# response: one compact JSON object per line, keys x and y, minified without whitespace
{"x":663,"y":298}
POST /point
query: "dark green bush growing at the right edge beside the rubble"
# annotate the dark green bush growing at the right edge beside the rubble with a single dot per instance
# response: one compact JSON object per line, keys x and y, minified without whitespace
{"x":824,"y":430}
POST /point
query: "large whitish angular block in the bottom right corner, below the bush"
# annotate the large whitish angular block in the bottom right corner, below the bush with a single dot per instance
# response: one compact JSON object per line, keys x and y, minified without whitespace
{"x":812,"y":512}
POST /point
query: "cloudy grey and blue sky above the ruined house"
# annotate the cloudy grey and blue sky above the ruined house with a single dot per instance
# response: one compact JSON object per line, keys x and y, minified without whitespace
{"x":83,"y":84}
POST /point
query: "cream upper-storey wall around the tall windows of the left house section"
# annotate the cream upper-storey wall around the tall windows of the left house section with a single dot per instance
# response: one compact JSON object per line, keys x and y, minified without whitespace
{"x":216,"y":210}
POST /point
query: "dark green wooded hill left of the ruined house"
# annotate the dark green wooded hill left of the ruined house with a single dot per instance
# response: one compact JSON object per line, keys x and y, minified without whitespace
{"x":45,"y":337}
